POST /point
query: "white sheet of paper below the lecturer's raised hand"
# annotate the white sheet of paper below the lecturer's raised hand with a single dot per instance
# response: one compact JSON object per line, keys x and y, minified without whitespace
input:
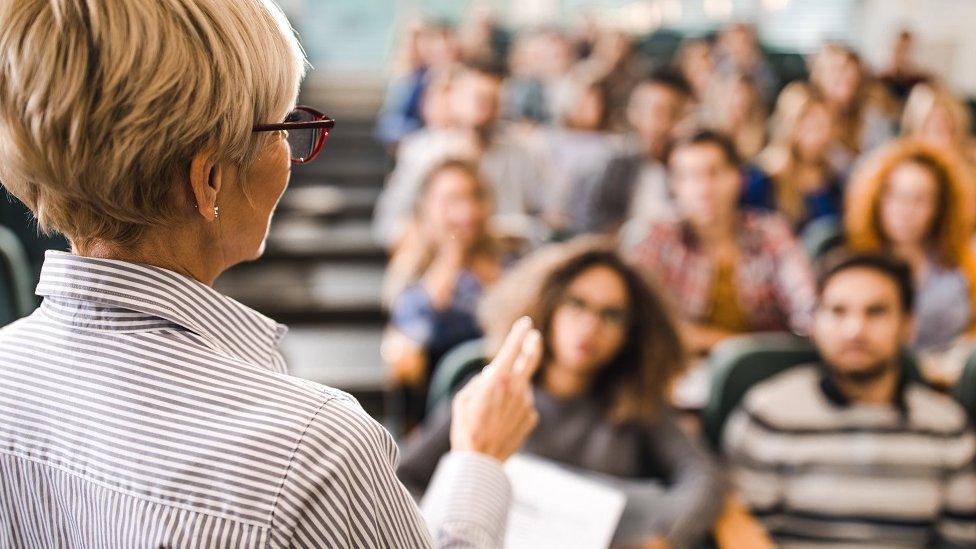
{"x":555,"y":508}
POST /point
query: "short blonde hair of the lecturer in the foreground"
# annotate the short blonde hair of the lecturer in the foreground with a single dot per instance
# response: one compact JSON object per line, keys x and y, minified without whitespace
{"x":104,"y":104}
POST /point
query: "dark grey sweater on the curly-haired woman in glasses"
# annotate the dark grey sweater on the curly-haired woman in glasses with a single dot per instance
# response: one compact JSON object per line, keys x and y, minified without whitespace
{"x":673,"y":487}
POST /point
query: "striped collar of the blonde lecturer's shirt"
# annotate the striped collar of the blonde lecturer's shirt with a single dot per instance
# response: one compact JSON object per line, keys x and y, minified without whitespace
{"x":225,"y":324}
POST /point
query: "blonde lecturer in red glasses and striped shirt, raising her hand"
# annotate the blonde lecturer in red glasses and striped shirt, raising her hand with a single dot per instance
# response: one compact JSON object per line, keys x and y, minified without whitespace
{"x":138,"y":406}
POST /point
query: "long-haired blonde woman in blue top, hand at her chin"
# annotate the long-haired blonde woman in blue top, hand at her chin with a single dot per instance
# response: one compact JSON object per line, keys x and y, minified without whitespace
{"x":437,"y":276}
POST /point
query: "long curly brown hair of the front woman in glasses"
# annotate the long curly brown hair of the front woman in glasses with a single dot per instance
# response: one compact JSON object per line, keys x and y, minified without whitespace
{"x":635,"y":384}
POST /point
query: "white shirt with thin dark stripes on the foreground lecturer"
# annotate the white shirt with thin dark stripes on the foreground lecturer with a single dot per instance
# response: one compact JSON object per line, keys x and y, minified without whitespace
{"x":140,"y":408}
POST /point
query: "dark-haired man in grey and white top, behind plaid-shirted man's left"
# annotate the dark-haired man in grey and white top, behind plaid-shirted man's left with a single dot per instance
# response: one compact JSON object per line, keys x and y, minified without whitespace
{"x":634,"y":184}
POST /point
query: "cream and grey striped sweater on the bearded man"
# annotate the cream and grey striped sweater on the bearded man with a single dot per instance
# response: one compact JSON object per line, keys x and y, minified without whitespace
{"x":821,"y":470}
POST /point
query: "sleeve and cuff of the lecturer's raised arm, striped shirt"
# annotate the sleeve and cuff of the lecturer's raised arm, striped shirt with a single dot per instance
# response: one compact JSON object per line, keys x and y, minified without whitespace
{"x":342,"y":491}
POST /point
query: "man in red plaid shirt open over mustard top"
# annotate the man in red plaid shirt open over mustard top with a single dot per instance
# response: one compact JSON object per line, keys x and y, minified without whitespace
{"x":727,"y":270}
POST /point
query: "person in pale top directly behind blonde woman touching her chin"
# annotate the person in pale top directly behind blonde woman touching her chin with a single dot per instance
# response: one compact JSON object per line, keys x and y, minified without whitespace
{"x":517,"y":175}
